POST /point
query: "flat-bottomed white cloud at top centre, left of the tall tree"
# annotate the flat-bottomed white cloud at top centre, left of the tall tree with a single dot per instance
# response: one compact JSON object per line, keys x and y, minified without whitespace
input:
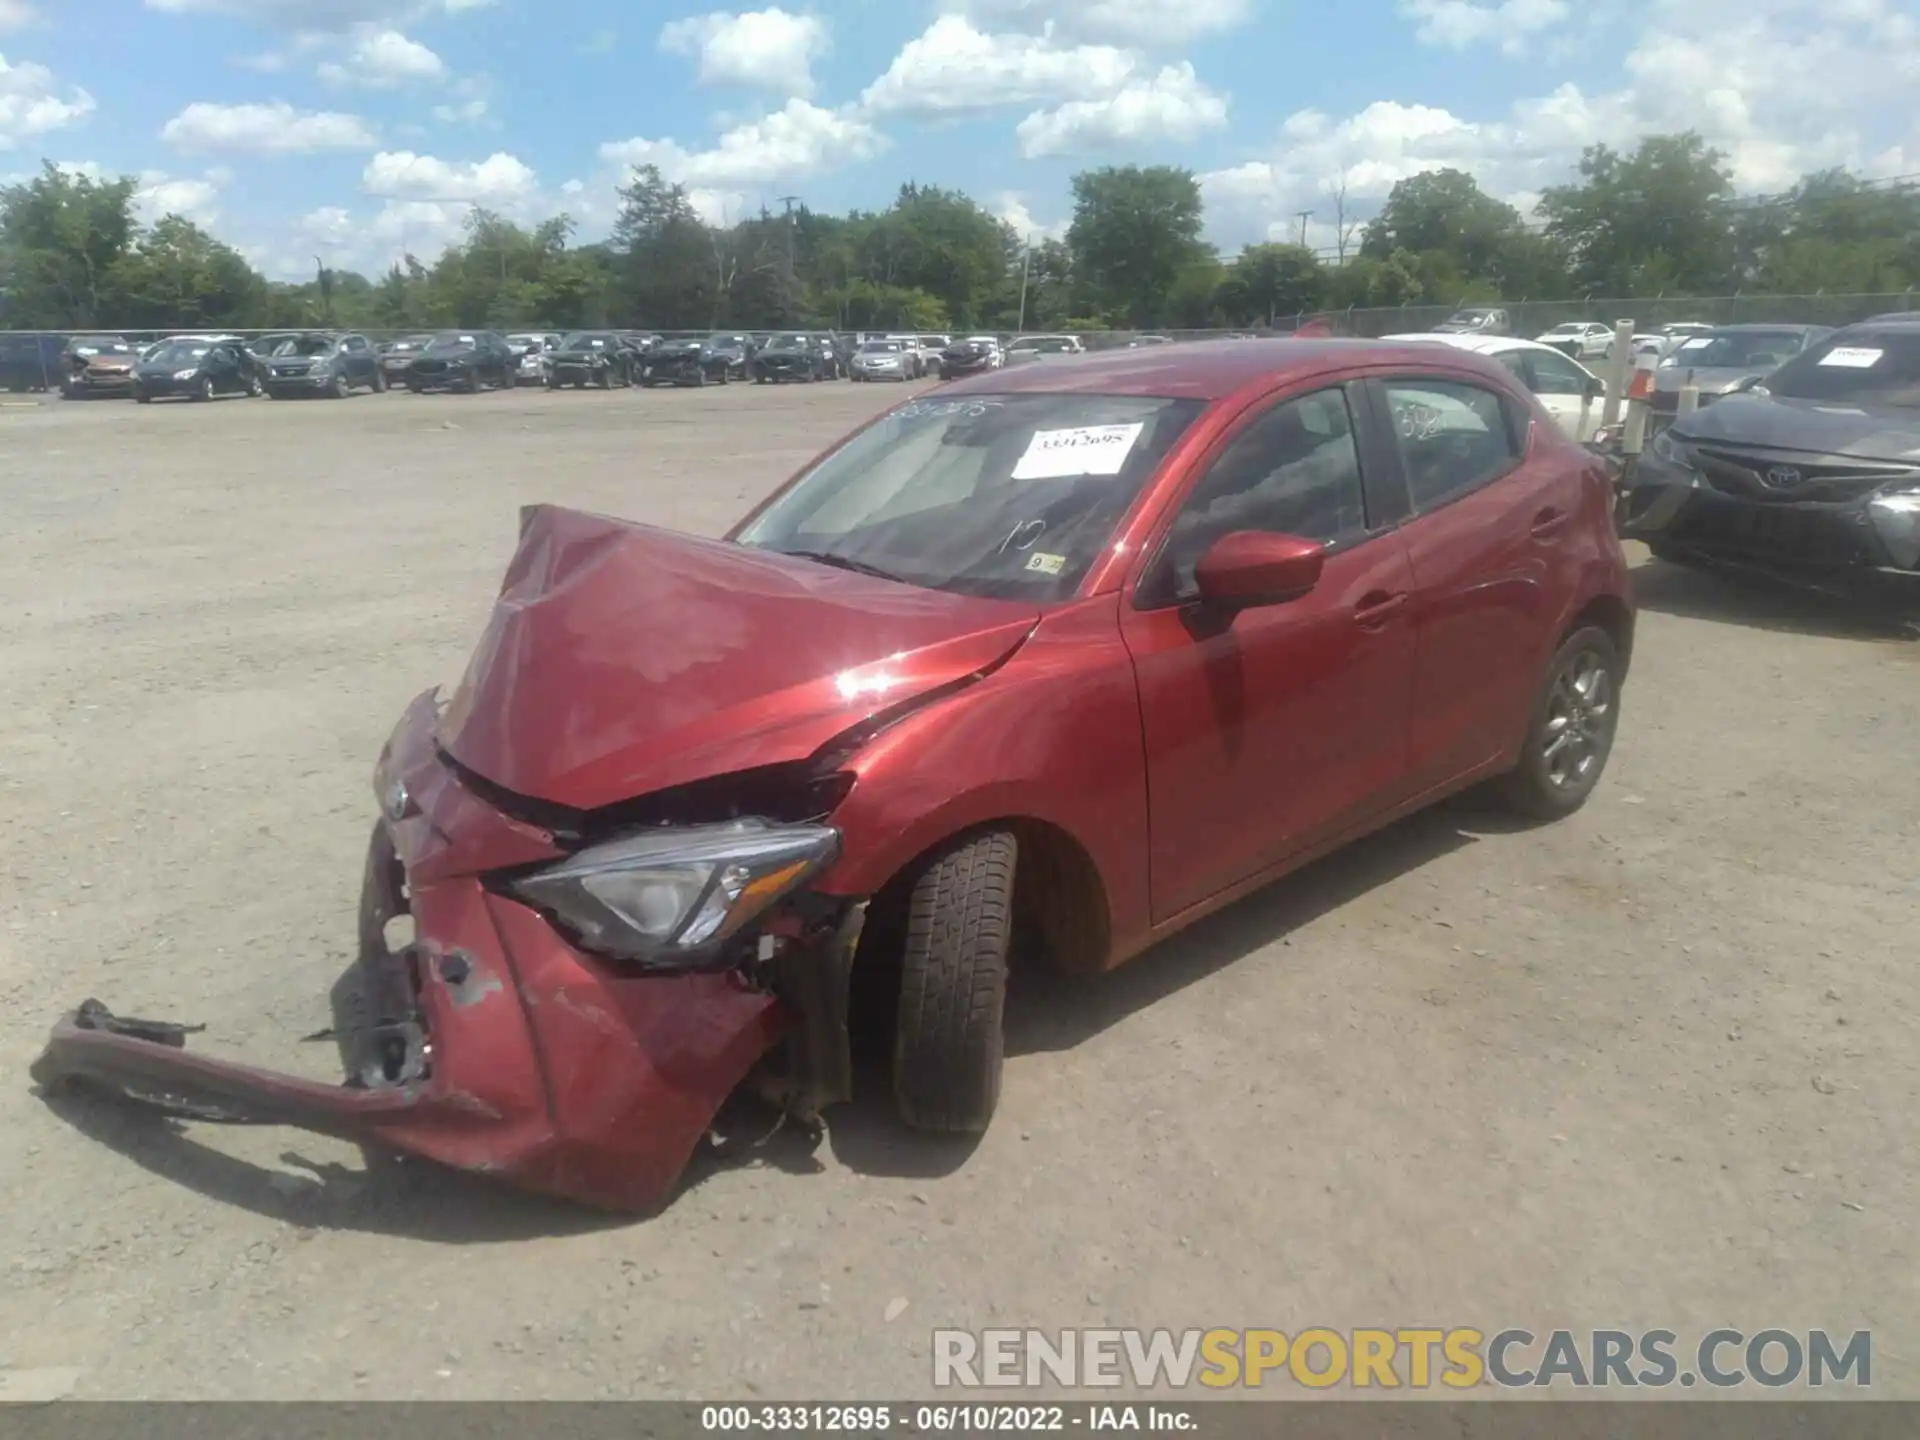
{"x":955,"y":68}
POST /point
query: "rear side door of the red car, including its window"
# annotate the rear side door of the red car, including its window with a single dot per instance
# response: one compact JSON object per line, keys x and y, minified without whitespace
{"x":1489,"y":529}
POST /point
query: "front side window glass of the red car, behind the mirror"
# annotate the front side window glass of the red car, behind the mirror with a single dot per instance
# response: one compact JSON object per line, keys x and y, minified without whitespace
{"x":1295,"y":471}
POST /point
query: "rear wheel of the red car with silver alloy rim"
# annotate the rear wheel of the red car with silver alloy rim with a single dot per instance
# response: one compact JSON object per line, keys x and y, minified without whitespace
{"x":1572,"y":729}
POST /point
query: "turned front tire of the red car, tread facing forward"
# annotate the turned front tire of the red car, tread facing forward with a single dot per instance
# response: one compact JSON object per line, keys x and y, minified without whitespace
{"x":949,"y":1045}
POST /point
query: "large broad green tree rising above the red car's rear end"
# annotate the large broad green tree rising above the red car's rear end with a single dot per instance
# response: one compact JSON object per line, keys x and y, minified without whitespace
{"x":1658,"y":220}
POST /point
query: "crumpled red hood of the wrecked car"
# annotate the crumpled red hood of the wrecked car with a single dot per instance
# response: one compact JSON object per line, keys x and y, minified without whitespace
{"x":625,"y":660}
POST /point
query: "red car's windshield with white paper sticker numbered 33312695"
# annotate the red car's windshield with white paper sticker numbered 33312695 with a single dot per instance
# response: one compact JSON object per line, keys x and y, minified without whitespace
{"x":999,"y":496}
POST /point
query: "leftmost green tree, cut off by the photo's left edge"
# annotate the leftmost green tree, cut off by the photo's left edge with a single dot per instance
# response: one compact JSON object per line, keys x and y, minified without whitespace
{"x":60,"y":237}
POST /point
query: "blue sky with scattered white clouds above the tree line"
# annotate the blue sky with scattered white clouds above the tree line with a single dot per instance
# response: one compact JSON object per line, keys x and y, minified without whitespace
{"x":356,"y":130}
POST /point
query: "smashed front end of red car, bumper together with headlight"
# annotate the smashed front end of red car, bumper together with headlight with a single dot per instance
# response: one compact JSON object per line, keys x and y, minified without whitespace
{"x":571,"y":1009}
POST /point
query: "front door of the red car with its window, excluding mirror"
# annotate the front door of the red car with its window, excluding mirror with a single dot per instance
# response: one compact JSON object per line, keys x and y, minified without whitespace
{"x":1274,"y":729}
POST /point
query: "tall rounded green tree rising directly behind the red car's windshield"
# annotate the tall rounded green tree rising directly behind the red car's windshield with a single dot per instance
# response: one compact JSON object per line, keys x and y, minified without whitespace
{"x":1134,"y":231}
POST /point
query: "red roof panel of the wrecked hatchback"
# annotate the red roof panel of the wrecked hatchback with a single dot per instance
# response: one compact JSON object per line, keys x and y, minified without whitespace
{"x":1207,"y":370}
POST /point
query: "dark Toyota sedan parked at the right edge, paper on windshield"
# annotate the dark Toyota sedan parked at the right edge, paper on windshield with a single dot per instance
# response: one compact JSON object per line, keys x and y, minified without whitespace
{"x":1812,"y":471}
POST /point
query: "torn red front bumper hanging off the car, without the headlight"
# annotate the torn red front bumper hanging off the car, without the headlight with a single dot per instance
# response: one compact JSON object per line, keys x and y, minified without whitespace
{"x":489,"y":1044}
